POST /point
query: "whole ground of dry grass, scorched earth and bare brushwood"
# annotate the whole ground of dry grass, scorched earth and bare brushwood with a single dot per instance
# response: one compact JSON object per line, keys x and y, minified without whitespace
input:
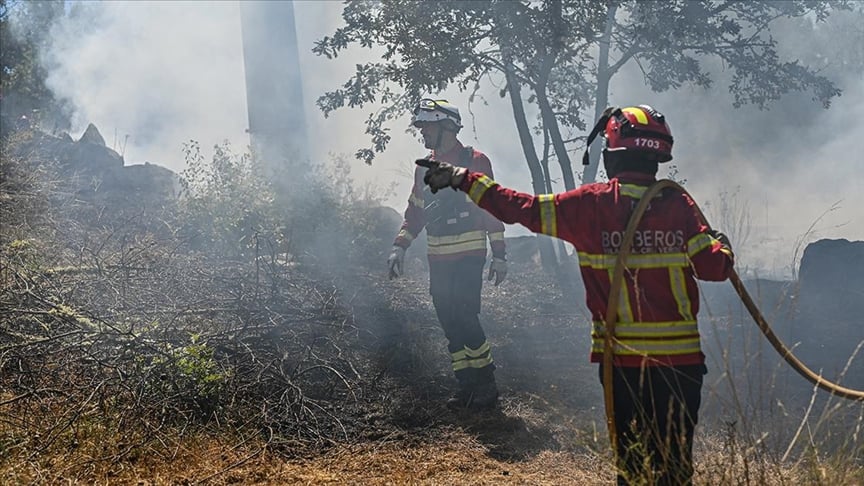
{"x":144,"y":362}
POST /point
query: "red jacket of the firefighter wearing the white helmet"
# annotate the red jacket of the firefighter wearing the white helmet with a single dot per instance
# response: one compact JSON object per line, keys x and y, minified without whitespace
{"x":455,"y":226}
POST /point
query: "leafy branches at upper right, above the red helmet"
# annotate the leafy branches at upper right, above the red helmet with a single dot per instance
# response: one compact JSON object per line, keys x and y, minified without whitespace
{"x":669,"y":40}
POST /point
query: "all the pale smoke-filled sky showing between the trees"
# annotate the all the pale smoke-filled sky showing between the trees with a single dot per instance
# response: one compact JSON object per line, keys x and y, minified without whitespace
{"x":151,"y":75}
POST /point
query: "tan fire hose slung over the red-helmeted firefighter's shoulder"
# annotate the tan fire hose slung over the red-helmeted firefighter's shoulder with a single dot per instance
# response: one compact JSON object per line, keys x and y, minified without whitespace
{"x":612,"y":306}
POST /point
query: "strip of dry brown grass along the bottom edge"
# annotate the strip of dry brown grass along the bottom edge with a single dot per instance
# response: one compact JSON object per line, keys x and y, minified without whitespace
{"x":456,"y":457}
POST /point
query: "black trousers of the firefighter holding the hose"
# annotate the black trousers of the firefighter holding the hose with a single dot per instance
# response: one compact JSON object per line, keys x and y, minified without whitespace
{"x":656,"y":412}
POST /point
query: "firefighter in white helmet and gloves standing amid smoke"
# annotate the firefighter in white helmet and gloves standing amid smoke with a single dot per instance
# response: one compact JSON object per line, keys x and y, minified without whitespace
{"x":456,"y":233}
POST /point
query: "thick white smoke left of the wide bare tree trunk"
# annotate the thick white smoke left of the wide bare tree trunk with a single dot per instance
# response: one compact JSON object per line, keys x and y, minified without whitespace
{"x":152,"y":75}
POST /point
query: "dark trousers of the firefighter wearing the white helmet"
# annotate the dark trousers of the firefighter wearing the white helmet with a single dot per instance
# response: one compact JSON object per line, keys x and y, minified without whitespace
{"x":456,"y":287}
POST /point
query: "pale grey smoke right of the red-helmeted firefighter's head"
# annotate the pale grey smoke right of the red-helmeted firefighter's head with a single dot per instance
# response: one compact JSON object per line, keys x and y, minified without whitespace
{"x":794,"y":166}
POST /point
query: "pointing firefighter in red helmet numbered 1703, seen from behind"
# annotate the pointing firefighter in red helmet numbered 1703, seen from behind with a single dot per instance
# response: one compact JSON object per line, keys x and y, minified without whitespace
{"x":658,"y":362}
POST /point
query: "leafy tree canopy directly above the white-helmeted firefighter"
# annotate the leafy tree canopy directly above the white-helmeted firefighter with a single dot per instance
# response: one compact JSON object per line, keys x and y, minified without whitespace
{"x":429,"y":46}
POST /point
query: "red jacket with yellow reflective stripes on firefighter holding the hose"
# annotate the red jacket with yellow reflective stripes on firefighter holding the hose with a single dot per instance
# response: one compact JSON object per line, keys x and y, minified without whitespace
{"x":659,"y":297}
